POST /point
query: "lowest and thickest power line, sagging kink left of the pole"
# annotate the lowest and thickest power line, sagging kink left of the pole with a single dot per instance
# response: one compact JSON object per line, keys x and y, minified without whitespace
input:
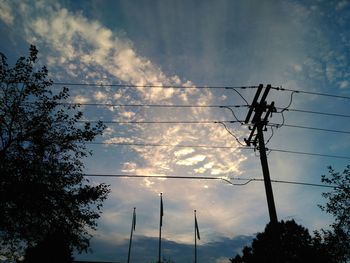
{"x":225,"y":179}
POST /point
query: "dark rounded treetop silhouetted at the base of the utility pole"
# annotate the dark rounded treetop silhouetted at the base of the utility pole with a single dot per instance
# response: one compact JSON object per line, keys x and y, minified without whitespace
{"x":295,"y":246}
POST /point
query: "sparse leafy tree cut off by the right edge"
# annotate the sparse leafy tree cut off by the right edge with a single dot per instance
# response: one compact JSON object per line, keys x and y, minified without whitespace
{"x":337,"y":240}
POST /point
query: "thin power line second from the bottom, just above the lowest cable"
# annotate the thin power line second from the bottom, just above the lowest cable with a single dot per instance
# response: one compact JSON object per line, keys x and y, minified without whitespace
{"x":217,"y":147}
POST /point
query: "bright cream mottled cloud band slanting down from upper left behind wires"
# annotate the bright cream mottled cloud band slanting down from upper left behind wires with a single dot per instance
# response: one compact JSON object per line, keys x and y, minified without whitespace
{"x":82,"y":50}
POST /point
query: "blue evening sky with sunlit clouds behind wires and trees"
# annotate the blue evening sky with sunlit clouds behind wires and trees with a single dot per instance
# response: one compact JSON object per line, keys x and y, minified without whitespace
{"x":298,"y":45}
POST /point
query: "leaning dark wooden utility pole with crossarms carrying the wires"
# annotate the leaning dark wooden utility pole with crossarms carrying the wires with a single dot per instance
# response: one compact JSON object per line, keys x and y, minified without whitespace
{"x":257,"y":140}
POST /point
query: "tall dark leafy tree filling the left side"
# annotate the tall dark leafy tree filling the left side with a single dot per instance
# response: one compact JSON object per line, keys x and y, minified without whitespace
{"x":42,"y":146}
